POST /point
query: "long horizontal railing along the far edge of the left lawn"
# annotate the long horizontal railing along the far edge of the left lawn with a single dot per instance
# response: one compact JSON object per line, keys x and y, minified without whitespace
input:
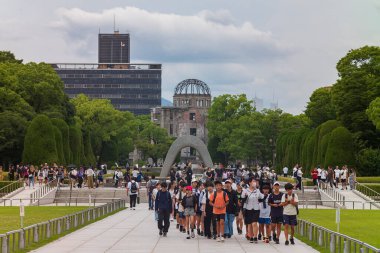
{"x":74,"y":201}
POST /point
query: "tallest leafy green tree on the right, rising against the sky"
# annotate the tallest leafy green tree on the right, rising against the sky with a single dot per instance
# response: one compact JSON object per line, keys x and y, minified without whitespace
{"x":358,"y":85}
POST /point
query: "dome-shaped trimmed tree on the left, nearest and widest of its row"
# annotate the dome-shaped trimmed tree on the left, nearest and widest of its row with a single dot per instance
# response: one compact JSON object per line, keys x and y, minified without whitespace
{"x":39,"y":143}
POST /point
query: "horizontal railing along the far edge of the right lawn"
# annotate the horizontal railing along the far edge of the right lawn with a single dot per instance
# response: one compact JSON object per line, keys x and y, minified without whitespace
{"x":356,"y":205}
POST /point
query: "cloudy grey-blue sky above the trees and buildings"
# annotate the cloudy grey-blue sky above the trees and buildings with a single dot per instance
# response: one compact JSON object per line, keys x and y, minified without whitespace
{"x":276,"y":50}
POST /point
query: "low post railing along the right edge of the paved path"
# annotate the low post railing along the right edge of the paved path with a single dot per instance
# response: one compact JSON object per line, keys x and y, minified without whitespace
{"x":332,"y":241}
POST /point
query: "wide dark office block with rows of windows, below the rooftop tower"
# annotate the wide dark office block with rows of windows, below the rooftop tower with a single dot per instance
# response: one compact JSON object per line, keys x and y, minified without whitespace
{"x":130,"y":87}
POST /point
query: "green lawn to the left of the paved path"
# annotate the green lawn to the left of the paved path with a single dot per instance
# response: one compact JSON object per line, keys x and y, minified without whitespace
{"x":10,"y":216}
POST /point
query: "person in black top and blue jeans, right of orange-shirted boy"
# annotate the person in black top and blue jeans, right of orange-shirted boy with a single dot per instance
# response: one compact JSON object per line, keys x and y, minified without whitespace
{"x":230,"y":210}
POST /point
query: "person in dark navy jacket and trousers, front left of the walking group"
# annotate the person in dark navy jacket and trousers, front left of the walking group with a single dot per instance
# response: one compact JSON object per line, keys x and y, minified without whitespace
{"x":163,"y":205}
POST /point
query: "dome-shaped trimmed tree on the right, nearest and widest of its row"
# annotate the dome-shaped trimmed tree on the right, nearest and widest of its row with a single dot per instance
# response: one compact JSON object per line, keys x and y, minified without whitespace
{"x":340,"y":150}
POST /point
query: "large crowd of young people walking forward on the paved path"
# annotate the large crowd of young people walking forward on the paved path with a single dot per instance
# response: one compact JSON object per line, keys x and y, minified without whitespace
{"x":225,"y":202}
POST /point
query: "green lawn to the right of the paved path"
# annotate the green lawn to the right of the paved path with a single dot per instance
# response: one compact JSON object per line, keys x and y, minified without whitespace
{"x":360,"y":224}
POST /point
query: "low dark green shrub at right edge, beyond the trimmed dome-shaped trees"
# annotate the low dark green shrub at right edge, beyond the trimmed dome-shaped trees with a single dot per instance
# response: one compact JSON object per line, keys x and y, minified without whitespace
{"x":369,"y":162}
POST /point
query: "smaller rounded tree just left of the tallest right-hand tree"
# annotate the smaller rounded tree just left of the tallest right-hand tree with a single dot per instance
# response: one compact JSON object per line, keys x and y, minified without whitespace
{"x":320,"y":108}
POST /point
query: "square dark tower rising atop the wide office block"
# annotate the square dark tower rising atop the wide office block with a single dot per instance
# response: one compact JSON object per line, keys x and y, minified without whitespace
{"x":113,"y":48}
